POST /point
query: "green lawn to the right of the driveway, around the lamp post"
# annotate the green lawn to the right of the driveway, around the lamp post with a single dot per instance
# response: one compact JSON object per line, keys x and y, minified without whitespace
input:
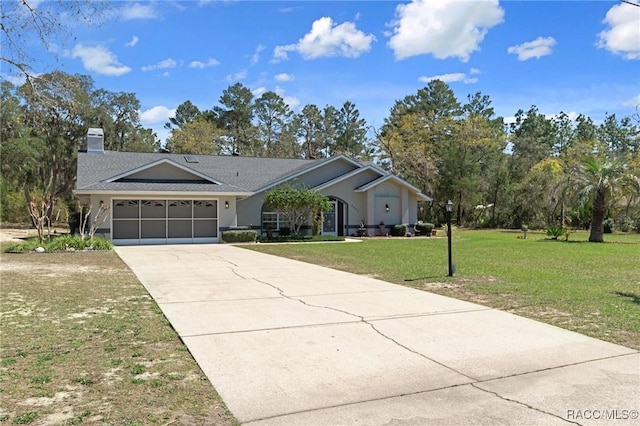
{"x":587,"y":287}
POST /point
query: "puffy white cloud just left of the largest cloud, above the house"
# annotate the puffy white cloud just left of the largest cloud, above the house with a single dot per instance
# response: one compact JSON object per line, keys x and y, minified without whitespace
{"x":328,"y":39}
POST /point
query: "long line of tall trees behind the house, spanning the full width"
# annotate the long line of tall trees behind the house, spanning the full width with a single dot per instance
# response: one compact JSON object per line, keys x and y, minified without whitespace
{"x":536,"y":170}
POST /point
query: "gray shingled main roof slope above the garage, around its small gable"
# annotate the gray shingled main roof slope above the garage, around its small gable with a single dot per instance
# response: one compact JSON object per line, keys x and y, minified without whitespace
{"x":235,"y":174}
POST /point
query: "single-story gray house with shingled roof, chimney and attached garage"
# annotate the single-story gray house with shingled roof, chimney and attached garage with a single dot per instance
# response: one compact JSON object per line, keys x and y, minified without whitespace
{"x":161,"y":198}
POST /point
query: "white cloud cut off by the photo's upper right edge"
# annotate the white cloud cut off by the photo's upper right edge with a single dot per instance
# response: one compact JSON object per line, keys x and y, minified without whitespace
{"x":623,"y":35}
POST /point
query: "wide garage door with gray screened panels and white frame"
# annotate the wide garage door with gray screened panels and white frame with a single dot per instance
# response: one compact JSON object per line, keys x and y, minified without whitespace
{"x":164,"y":221}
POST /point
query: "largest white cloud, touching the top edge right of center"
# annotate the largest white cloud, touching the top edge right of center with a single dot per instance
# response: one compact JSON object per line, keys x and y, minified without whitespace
{"x":443,"y":28}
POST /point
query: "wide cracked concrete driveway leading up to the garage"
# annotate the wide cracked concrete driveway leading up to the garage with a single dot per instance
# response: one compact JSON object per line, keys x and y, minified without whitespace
{"x":285,"y":342}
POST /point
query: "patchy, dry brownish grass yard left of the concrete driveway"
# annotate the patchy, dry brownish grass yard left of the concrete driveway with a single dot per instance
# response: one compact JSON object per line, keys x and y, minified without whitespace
{"x":83,"y":342}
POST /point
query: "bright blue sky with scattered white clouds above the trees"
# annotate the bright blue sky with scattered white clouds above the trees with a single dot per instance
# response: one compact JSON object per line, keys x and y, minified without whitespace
{"x":571,"y":56}
